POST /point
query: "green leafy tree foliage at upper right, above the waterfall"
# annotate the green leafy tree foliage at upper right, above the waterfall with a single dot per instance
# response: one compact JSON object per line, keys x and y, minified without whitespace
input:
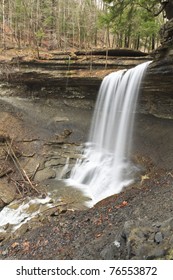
{"x":133,"y":22}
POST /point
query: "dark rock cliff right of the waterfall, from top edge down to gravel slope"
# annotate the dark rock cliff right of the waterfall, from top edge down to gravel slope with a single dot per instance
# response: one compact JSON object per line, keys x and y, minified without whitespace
{"x":154,"y":132}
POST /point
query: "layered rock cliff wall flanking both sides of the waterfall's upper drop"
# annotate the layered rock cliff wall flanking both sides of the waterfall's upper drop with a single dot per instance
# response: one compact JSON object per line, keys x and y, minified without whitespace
{"x":75,"y":80}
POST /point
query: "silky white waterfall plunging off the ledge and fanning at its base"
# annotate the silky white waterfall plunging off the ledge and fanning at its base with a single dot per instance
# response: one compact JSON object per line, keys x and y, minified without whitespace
{"x":105,"y":167}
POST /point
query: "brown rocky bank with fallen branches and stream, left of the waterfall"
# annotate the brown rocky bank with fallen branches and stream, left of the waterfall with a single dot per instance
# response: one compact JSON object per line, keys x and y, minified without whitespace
{"x":37,"y":150}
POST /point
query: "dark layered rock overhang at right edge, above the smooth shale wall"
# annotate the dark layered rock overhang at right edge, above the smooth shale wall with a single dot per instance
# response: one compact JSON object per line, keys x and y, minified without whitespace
{"x":157,"y":87}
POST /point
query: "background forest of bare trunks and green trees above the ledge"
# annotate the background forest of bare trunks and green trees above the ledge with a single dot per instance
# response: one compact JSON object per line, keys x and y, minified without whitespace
{"x":80,"y":24}
